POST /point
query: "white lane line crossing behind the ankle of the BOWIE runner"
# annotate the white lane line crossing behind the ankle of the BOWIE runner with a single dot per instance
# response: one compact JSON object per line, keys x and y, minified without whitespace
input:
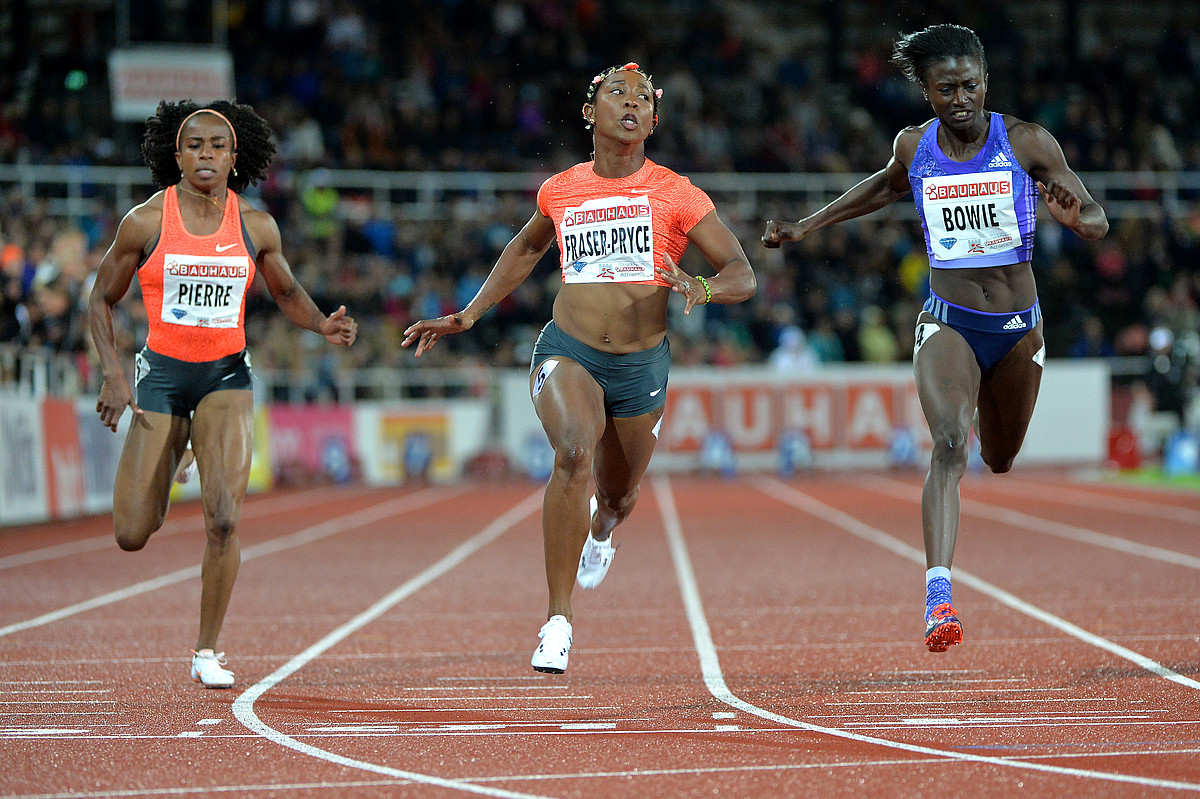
{"x":797,"y":500}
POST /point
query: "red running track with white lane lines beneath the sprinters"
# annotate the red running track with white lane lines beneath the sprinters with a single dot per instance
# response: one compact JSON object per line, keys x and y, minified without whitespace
{"x":757,"y":638}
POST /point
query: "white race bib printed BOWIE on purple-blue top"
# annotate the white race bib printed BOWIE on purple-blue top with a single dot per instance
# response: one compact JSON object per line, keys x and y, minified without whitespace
{"x":970,"y":215}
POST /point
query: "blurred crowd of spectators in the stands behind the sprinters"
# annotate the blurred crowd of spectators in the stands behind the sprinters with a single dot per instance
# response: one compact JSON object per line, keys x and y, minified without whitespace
{"x":748,"y":87}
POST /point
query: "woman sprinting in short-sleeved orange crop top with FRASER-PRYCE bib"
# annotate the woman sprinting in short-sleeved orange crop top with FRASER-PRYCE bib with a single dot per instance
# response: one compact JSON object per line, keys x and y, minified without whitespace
{"x":599,"y":373}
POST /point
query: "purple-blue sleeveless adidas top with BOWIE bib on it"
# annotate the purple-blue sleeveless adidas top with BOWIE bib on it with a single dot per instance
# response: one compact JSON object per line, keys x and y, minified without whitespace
{"x":979,"y":213}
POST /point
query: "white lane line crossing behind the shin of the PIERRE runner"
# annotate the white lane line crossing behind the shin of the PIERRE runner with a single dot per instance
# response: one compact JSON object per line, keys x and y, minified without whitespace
{"x":308,"y":536}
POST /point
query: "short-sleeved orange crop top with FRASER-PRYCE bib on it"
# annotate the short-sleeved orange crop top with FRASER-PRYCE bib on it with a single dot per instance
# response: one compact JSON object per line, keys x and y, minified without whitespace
{"x":616,"y":230}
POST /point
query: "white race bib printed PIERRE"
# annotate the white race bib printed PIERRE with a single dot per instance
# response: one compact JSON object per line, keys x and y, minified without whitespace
{"x":203,"y":291}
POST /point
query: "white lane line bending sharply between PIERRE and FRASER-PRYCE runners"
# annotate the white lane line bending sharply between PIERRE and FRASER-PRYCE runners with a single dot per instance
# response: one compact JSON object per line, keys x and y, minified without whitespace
{"x":244,"y":706}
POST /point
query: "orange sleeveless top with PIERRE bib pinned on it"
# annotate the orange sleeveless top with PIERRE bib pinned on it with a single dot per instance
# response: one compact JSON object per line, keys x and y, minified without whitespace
{"x":195,"y":287}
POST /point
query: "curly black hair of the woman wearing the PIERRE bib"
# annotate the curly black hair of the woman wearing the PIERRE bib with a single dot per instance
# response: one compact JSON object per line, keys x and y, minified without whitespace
{"x":256,"y":146}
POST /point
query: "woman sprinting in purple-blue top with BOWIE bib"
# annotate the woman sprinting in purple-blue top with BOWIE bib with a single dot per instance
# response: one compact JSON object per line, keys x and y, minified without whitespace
{"x":976,"y":178}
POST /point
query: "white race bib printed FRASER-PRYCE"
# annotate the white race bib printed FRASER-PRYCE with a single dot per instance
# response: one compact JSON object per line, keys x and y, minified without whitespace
{"x":609,"y":241}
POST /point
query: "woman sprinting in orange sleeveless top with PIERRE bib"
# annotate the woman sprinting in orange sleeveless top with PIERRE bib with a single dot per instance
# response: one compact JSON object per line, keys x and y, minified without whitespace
{"x":195,"y":247}
